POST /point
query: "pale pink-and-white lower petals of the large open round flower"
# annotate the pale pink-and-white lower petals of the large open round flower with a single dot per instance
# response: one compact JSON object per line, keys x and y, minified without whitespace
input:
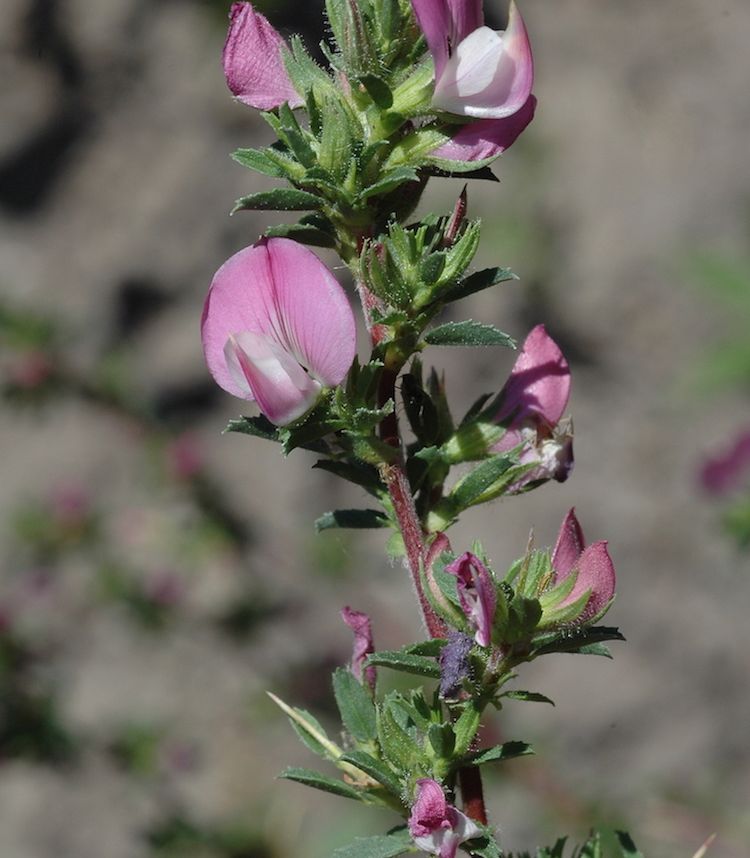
{"x":272,"y":377}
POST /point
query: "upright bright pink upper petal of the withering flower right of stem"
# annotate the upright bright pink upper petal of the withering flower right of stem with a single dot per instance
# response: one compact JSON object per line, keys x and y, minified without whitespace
{"x":539,"y":383}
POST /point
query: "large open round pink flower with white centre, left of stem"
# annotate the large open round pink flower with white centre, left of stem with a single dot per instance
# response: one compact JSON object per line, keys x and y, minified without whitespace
{"x":277,"y":328}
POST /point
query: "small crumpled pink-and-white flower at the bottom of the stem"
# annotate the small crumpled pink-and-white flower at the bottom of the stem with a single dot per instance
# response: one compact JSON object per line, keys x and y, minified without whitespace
{"x":436,"y":826}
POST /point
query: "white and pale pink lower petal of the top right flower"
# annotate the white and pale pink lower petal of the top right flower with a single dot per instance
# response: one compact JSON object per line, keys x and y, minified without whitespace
{"x":489,"y":75}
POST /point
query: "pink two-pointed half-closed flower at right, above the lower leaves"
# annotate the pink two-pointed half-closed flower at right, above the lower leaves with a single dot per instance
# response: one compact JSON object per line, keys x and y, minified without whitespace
{"x":596,"y":572}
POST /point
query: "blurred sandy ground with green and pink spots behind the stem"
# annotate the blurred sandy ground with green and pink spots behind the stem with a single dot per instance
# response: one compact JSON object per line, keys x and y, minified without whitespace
{"x":157,"y":577}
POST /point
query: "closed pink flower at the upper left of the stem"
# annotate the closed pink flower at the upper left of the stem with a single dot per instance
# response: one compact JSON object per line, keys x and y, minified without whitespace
{"x":253,"y":64}
